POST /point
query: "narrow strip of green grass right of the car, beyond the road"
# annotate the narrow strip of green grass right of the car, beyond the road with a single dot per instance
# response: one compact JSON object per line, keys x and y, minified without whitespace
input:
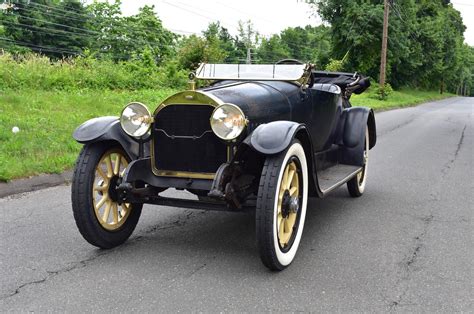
{"x":398,"y":99}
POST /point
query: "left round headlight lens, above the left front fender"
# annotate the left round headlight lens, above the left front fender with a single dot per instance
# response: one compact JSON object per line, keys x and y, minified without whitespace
{"x":135,"y":119}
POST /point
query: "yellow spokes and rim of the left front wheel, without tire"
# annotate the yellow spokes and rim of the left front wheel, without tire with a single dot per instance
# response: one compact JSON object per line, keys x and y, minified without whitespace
{"x":109,"y":212}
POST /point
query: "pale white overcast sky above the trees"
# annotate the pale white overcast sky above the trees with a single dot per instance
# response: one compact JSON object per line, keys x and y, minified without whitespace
{"x":268,"y":16}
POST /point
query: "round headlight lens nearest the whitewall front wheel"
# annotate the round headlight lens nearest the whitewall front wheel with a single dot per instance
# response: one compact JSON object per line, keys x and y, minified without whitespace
{"x":227,"y":121}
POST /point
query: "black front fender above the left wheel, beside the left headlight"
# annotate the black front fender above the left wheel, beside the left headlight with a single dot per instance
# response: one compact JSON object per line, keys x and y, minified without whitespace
{"x":106,"y":129}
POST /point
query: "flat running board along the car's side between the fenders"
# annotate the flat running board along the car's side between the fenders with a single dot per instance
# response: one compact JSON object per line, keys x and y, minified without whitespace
{"x":335,"y":176}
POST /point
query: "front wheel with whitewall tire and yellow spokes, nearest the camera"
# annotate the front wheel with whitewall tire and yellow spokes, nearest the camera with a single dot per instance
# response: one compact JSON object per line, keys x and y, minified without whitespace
{"x":281,"y":206}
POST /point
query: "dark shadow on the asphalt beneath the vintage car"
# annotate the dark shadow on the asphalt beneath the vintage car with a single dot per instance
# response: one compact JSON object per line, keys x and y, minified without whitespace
{"x":193,"y":237}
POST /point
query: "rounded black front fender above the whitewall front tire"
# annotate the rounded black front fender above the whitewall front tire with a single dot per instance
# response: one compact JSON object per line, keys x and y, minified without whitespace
{"x":274,"y":137}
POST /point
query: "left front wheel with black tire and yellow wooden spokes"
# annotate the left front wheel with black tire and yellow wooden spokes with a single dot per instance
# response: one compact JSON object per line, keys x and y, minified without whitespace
{"x":101,"y":218}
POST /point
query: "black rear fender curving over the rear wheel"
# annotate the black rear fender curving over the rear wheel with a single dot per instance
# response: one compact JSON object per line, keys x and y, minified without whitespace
{"x":355,"y":120}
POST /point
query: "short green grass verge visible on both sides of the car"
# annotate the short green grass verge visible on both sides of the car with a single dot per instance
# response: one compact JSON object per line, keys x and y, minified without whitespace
{"x":47,"y":119}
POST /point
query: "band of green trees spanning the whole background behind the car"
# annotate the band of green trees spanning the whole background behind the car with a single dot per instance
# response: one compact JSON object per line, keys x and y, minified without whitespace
{"x":426,"y":46}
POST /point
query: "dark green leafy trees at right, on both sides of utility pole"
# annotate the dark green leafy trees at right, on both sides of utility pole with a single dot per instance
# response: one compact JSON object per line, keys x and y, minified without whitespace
{"x":426,"y":40}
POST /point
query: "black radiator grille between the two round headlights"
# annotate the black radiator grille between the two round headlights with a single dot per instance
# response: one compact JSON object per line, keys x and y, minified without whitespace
{"x":184,"y":141}
